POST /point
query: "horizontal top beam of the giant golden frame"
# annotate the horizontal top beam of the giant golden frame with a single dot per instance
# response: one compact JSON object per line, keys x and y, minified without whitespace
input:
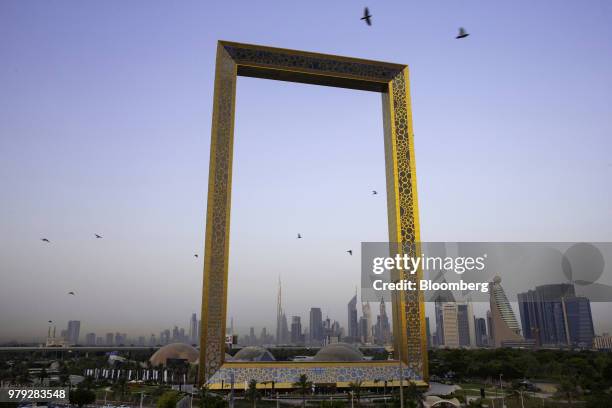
{"x":312,"y":68}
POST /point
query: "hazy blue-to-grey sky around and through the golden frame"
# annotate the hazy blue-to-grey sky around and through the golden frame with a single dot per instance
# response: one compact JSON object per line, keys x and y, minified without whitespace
{"x":105,"y":110}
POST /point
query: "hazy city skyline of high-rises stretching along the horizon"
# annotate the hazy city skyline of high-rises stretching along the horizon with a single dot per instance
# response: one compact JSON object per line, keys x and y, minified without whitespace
{"x":551,"y":316}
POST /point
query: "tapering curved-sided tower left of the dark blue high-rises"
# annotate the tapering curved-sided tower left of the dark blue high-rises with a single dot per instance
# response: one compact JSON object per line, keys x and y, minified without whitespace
{"x":505,"y":326}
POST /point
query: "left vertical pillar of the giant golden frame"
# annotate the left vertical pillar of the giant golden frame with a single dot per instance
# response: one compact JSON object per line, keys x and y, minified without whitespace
{"x":216,"y":250}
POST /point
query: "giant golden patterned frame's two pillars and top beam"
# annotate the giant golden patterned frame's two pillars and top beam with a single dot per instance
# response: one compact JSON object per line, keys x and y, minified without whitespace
{"x":391,"y":81}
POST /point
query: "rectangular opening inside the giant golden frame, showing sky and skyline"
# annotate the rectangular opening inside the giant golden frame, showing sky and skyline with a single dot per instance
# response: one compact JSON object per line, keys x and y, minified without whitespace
{"x":308,"y":186}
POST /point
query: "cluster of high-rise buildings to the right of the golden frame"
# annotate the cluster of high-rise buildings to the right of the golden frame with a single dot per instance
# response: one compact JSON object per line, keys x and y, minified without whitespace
{"x":550,"y":316}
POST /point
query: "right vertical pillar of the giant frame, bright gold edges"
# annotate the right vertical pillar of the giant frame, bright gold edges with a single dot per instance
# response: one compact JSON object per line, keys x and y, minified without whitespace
{"x":408,"y":307}
